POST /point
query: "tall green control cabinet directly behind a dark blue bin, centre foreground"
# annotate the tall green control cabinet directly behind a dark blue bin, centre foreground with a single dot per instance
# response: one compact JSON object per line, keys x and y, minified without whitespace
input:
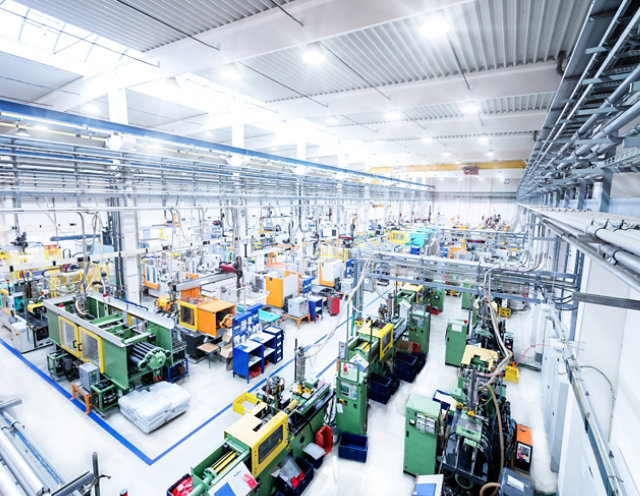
{"x":352,"y":396}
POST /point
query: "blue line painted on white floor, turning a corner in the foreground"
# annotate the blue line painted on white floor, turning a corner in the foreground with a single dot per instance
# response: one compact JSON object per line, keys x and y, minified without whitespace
{"x":121,"y":439}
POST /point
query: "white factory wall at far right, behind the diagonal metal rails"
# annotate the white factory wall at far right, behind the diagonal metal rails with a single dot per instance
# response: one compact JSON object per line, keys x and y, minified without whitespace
{"x":607,"y":340}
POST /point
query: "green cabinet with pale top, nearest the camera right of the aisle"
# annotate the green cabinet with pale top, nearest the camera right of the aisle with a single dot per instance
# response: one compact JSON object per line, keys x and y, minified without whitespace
{"x":422,"y":425}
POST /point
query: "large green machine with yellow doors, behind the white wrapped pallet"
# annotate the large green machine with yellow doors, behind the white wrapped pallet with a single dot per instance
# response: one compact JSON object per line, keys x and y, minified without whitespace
{"x":129,"y":345}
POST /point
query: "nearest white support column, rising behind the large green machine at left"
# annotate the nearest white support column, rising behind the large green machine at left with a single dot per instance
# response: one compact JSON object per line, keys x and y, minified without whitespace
{"x":128,"y":218}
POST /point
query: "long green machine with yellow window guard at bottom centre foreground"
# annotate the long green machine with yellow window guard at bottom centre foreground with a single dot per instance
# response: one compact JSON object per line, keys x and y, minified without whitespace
{"x":275,"y":425}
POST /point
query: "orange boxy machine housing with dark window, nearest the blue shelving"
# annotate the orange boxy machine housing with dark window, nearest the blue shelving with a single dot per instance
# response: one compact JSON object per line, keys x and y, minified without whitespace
{"x":206,"y":315}
